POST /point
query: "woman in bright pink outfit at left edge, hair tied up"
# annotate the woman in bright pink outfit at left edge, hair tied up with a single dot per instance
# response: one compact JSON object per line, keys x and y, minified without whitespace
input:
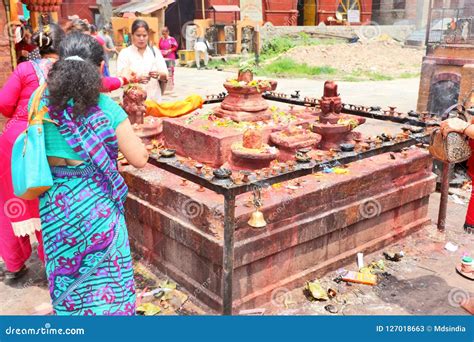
{"x":19,"y":219}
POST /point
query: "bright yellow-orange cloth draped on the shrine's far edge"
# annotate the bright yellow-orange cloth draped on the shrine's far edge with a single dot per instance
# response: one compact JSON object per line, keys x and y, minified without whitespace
{"x":174,"y":109}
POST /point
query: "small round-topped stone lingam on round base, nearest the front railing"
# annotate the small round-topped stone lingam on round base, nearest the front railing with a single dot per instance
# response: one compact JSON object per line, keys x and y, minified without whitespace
{"x":252,"y":153}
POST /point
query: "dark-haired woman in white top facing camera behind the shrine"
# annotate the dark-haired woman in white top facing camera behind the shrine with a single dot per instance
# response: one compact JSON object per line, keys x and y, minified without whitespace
{"x":143,"y":63}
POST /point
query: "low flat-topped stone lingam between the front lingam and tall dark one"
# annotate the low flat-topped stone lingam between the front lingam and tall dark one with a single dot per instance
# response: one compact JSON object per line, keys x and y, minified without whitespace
{"x":292,"y":139}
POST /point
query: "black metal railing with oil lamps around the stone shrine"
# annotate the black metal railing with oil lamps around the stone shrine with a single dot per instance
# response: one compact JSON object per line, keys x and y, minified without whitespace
{"x":230,"y":190}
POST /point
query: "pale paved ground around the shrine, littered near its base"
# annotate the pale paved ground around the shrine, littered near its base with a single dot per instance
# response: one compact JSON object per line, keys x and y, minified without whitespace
{"x":423,"y":283}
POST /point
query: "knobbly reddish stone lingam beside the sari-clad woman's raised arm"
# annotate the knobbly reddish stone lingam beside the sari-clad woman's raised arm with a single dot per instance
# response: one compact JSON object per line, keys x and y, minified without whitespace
{"x":134,"y":98}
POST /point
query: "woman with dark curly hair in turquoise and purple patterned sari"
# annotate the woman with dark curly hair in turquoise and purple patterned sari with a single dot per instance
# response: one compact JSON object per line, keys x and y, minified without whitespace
{"x":88,"y":261}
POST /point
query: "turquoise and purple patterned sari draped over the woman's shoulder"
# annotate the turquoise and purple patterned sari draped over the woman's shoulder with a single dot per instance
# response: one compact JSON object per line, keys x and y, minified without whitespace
{"x":88,"y":260}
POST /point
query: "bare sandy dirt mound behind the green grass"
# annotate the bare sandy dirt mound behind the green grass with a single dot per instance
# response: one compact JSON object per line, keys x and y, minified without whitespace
{"x":387,"y":57}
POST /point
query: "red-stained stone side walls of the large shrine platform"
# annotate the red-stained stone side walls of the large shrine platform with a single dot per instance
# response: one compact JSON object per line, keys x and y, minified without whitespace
{"x":312,"y":230}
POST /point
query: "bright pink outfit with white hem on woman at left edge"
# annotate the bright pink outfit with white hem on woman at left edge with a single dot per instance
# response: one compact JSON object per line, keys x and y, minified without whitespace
{"x":16,"y":214}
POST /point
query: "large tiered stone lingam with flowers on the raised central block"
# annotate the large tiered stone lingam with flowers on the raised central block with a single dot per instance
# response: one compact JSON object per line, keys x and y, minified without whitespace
{"x":245,"y":101}
